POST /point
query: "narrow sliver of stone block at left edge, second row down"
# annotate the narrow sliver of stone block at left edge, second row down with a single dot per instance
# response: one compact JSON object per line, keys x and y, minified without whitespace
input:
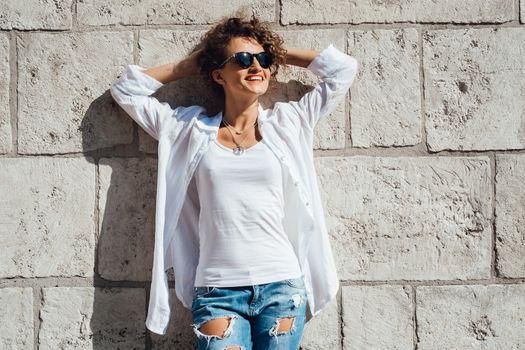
{"x":5,"y":115}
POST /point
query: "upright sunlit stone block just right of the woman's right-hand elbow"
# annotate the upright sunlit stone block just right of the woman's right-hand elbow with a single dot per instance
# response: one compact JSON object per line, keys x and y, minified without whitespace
{"x":386,"y":105}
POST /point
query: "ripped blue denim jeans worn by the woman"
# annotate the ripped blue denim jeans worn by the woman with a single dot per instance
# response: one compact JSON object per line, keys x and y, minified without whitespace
{"x":253,"y":313}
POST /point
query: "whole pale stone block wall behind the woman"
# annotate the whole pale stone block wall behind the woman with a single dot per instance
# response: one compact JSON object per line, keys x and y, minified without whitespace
{"x":422,"y":169}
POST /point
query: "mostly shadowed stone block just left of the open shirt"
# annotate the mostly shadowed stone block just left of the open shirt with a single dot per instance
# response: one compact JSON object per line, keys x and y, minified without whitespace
{"x":126,"y":214}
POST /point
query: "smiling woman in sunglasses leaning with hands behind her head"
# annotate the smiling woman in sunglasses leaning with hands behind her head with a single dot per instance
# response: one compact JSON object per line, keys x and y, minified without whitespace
{"x":238,"y":214}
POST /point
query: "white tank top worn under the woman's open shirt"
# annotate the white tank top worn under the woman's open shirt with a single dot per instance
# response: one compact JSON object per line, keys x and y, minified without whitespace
{"x":241,"y":237}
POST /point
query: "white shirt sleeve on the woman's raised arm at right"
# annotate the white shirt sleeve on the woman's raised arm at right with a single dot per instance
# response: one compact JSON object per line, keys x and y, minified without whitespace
{"x":337,"y":71}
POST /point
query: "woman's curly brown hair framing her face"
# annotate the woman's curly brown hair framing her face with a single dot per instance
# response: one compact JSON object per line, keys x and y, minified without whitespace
{"x":215,"y":41}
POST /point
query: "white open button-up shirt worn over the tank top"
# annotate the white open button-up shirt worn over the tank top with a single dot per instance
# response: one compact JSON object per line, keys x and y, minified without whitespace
{"x":184,"y":134}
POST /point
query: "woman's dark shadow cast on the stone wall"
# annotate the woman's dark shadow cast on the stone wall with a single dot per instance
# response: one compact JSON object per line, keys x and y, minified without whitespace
{"x":126,"y":209}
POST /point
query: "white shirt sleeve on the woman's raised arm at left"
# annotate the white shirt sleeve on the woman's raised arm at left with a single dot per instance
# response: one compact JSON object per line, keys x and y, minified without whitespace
{"x":132,"y":92}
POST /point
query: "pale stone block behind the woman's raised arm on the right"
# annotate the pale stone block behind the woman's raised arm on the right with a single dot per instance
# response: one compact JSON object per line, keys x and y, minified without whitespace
{"x":295,"y":82}
